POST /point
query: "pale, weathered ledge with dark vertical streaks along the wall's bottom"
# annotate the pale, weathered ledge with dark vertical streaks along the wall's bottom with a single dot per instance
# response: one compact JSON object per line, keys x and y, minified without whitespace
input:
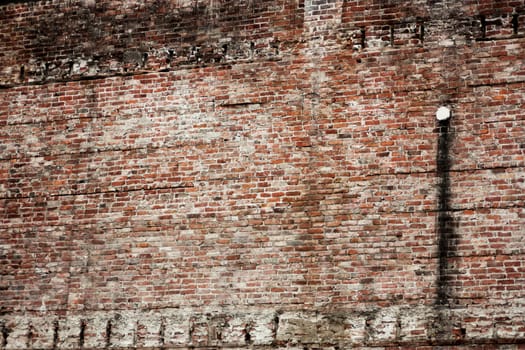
{"x":179,"y":328}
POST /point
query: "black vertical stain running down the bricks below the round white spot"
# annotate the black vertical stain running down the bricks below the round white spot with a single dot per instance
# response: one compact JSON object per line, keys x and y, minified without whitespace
{"x":445,"y":221}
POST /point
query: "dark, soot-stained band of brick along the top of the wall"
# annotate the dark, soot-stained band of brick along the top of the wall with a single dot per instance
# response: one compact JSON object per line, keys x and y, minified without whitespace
{"x":103,"y":41}
